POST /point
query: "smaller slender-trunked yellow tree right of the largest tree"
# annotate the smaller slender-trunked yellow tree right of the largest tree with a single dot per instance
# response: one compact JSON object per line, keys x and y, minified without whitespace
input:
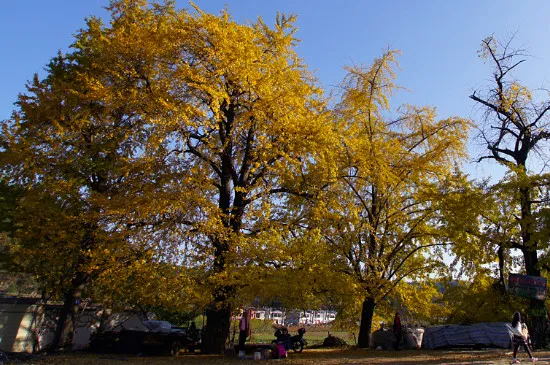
{"x":382,"y":218}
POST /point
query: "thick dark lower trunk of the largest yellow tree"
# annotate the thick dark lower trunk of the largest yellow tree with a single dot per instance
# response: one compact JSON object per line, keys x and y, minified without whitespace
{"x":216,"y":331}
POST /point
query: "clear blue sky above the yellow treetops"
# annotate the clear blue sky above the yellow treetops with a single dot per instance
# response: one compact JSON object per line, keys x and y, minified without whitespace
{"x":439,"y":40}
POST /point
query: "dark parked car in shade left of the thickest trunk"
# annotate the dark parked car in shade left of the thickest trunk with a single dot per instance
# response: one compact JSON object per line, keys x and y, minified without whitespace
{"x":155,"y":337}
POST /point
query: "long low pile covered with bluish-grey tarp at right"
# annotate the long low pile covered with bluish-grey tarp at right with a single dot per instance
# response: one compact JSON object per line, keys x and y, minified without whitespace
{"x":496,"y":334}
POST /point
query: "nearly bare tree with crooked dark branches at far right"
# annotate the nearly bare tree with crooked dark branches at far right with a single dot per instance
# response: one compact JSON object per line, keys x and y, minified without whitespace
{"x":515,"y":132}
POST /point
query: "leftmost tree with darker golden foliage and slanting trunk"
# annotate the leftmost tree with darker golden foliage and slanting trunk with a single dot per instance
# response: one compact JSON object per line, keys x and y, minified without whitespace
{"x":77,"y":144}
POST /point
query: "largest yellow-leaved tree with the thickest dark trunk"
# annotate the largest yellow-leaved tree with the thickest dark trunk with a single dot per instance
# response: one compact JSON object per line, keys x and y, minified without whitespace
{"x":248,"y":128}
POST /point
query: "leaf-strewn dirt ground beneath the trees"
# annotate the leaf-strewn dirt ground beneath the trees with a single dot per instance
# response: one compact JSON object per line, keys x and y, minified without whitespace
{"x":309,"y":356}
